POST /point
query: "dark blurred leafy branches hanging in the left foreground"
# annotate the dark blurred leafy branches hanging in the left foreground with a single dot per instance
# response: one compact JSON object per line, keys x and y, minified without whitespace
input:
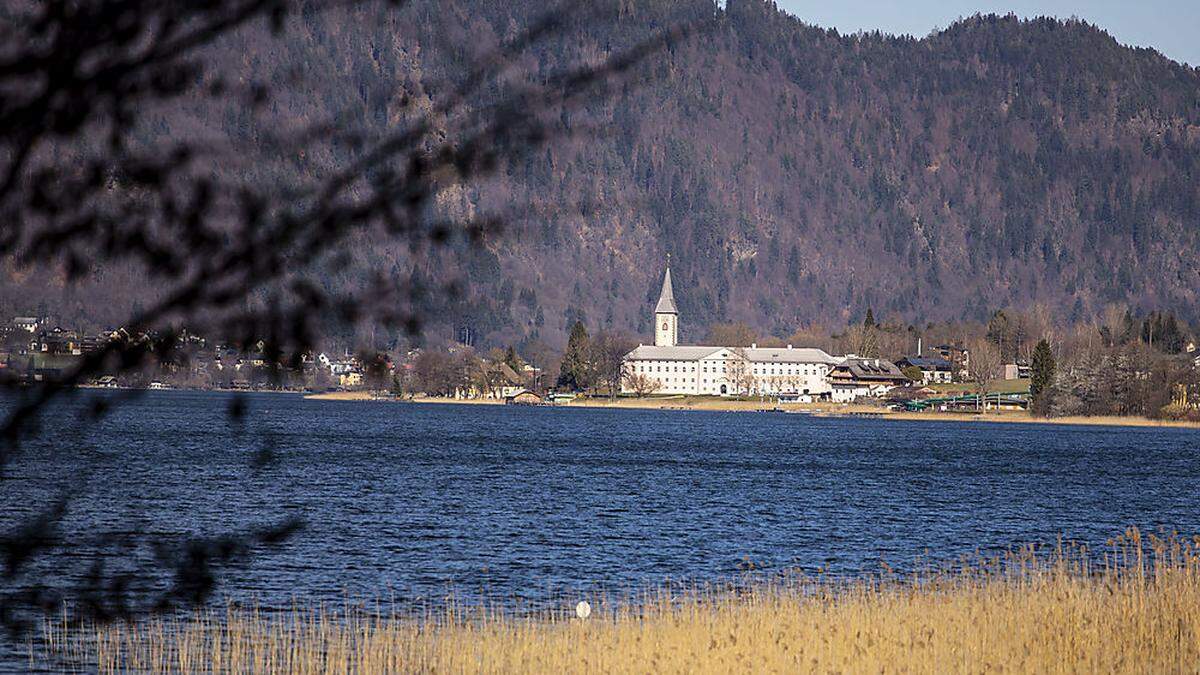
{"x":232,"y":261}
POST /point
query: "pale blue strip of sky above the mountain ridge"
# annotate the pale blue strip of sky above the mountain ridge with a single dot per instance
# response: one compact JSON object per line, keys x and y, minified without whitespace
{"x":1173,"y":27}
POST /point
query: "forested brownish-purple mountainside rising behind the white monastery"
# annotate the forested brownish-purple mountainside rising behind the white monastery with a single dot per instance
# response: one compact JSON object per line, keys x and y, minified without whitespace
{"x":794,"y":175}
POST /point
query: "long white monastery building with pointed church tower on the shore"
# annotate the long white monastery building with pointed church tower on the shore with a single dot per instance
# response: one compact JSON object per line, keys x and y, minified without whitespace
{"x":668,"y":368}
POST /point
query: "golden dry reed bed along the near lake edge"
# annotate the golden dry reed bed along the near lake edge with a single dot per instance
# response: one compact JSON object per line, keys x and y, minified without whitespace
{"x":1136,"y":608}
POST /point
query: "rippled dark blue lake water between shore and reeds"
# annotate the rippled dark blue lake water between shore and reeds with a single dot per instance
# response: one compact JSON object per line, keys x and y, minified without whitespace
{"x":409,"y":501}
